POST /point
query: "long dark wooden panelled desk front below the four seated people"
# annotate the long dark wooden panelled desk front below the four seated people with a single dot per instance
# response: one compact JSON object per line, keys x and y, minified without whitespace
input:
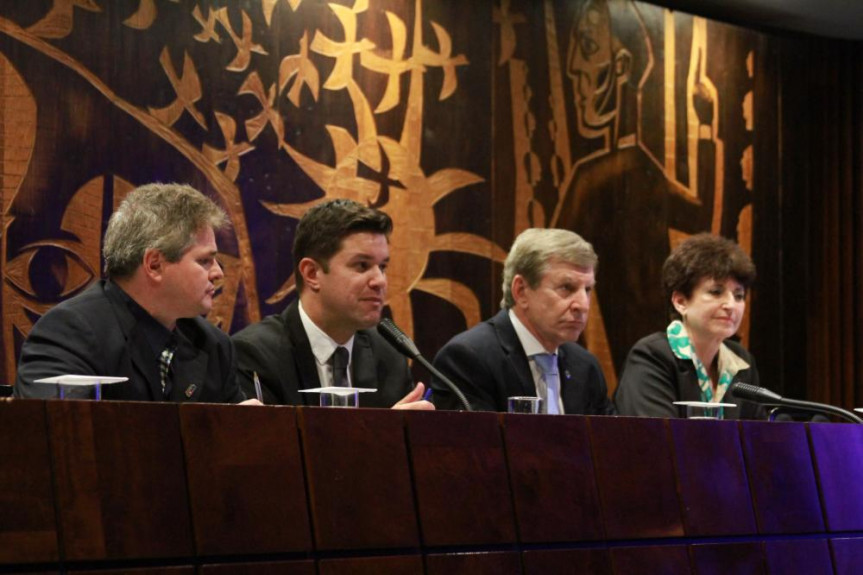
{"x":162,"y":489}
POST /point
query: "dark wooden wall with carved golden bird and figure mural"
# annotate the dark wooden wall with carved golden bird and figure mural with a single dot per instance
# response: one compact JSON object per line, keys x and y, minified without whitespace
{"x":461,"y":120}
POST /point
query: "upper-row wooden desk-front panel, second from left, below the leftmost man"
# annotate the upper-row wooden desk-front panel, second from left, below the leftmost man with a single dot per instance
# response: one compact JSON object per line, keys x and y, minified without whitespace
{"x":119,"y":479}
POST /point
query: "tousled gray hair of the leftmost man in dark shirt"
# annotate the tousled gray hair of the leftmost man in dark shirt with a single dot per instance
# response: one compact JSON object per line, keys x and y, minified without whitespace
{"x":164,"y":217}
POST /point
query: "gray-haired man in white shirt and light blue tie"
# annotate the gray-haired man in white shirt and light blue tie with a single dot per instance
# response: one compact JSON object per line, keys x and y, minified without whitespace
{"x":528,"y":348}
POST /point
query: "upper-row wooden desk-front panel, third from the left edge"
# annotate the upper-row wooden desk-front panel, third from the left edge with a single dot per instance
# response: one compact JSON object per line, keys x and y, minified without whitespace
{"x":246,"y":484}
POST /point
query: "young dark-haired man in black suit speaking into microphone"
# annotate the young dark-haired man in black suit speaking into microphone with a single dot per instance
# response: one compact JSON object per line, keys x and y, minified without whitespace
{"x":327,"y":337}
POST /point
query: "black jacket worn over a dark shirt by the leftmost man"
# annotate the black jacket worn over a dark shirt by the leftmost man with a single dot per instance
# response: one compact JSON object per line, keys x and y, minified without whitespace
{"x":95,"y":333}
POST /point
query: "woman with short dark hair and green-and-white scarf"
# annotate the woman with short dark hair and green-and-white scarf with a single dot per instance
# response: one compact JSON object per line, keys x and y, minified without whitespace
{"x":706,"y":279}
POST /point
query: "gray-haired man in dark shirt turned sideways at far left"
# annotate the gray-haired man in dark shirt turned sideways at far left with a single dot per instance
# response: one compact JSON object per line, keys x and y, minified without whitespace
{"x":144,"y":322}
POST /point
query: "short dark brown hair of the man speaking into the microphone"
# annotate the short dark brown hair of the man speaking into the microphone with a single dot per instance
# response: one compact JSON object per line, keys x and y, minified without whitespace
{"x":321,"y":230}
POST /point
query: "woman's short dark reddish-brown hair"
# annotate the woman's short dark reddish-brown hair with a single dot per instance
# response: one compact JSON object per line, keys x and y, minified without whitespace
{"x":704,"y":256}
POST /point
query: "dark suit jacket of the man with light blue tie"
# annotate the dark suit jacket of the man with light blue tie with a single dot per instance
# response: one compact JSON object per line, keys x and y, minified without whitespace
{"x":488,"y":364}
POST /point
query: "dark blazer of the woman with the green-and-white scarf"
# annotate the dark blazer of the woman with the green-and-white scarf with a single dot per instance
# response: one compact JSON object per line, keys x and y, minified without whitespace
{"x":653,"y":378}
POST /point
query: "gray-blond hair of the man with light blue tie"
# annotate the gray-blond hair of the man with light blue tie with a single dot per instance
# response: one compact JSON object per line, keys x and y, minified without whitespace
{"x":532,"y":251}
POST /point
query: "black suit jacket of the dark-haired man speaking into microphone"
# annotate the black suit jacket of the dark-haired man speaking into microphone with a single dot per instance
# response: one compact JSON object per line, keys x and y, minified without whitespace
{"x":278,"y":349}
